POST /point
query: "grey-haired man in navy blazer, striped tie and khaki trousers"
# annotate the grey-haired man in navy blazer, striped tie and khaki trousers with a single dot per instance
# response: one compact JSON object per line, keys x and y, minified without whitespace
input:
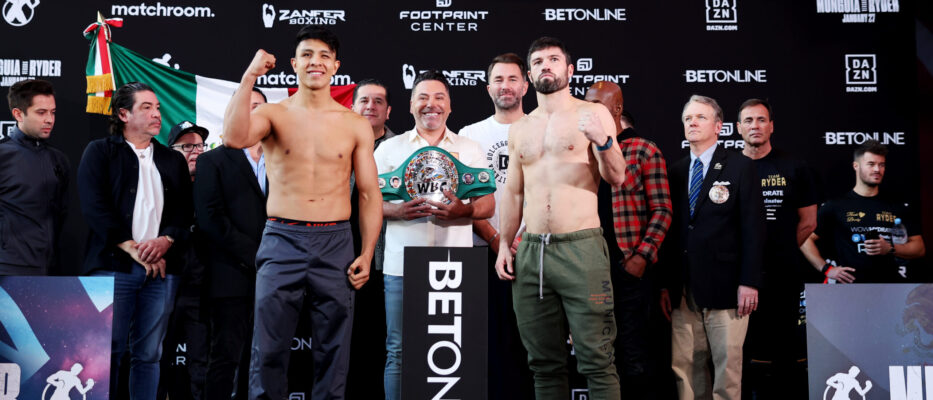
{"x":712,"y":257}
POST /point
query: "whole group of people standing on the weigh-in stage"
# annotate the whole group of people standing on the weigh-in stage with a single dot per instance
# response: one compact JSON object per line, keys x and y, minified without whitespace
{"x":588,"y":221}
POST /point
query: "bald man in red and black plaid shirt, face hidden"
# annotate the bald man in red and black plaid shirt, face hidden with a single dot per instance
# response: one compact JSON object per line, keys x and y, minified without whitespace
{"x":635,"y":218}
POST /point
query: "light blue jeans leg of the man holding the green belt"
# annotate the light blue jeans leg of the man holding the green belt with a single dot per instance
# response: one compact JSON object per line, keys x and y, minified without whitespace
{"x":393,"y":374}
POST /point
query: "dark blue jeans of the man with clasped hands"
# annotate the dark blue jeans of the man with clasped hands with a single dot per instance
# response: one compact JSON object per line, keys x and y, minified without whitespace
{"x":141,"y":310}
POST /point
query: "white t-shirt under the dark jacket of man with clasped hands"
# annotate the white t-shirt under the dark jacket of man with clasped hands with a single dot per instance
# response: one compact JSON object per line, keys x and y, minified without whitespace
{"x":147,"y":210}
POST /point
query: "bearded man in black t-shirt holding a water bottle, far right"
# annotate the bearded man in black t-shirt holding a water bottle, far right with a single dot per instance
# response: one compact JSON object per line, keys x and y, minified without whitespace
{"x":860,"y":225}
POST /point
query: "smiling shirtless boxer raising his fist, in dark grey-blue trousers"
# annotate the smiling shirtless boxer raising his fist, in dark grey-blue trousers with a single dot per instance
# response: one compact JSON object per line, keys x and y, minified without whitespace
{"x":311,"y":144}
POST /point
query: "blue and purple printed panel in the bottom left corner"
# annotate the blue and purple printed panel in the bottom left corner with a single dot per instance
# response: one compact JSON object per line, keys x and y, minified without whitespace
{"x":55,"y":346}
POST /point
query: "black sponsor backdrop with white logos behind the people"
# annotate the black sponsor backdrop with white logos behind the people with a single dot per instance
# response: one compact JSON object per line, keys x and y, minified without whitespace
{"x":836,"y":71}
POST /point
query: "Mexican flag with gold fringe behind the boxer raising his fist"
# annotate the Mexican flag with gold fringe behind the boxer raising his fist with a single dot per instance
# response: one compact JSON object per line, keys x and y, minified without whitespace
{"x":184,"y":96}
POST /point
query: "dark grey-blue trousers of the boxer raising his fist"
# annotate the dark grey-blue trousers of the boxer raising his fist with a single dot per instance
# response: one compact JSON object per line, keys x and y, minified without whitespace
{"x":295,"y":262}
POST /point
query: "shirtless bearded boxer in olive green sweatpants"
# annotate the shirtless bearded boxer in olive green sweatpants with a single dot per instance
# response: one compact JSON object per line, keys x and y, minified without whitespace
{"x":561,"y":271}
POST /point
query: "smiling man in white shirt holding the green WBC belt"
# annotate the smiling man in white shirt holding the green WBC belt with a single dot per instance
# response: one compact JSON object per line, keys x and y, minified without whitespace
{"x":423,"y":222}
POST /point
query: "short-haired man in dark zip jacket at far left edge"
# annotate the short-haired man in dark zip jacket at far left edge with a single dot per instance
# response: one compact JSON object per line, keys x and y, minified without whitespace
{"x":34,"y":183}
